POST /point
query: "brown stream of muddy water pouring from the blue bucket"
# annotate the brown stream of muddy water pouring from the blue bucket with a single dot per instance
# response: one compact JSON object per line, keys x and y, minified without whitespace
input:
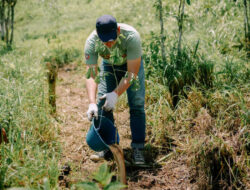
{"x":119,"y":158}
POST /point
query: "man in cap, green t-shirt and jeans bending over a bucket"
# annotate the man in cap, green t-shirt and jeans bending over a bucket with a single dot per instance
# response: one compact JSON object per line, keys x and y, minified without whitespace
{"x":120,"y":47}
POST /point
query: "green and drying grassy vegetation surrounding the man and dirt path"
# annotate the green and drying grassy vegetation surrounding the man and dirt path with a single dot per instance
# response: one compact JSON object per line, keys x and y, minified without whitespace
{"x":209,"y":122}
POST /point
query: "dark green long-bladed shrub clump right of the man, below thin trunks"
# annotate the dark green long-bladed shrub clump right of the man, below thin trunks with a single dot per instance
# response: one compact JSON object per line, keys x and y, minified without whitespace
{"x":186,"y":68}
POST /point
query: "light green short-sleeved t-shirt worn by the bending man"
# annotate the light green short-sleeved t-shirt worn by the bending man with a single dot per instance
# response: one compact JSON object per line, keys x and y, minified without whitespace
{"x":127,"y":47}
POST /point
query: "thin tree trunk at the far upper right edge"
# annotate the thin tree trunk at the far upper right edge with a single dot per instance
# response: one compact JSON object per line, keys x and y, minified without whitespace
{"x":247,"y":27}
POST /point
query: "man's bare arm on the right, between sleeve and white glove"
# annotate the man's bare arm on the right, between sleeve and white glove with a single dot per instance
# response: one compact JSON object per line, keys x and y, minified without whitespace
{"x":133,"y":67}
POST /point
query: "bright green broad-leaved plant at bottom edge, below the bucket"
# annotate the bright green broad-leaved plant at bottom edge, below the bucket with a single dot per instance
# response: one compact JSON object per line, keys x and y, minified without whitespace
{"x":102,"y":180}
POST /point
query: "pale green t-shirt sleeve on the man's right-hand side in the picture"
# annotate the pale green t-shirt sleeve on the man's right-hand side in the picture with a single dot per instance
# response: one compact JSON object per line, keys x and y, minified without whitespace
{"x":134,"y":49}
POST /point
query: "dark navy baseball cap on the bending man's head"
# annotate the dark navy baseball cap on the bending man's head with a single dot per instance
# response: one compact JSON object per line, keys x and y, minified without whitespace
{"x":106,"y":27}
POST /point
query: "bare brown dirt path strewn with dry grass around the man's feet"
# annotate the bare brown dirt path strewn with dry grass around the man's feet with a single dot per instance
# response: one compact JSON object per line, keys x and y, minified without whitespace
{"x":72,"y":105}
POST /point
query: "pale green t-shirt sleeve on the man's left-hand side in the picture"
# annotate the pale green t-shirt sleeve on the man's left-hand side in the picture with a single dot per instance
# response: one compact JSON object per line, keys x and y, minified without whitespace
{"x":90,"y":54}
